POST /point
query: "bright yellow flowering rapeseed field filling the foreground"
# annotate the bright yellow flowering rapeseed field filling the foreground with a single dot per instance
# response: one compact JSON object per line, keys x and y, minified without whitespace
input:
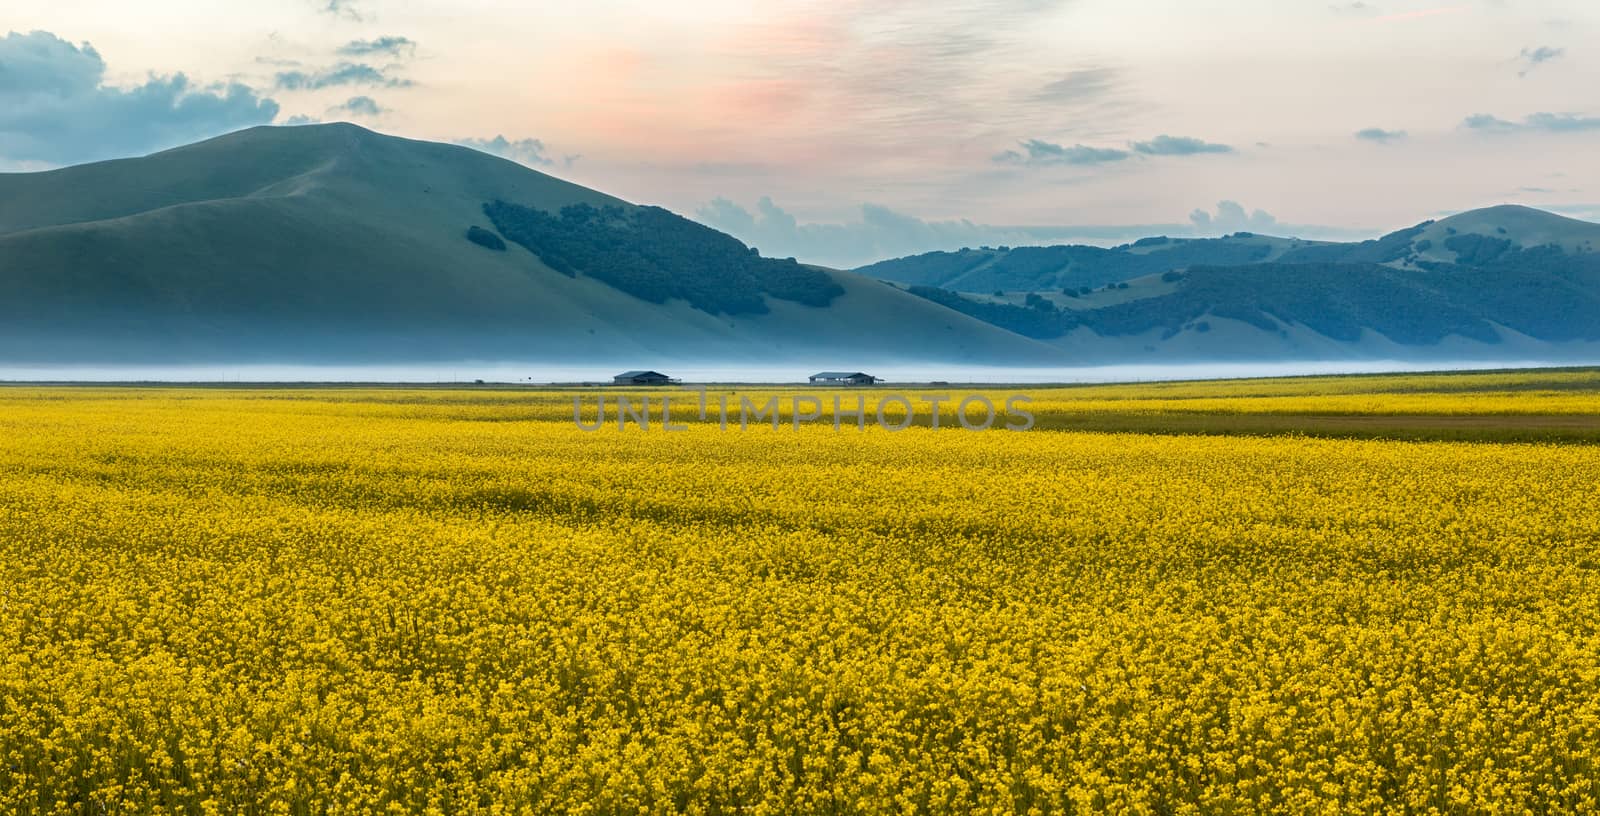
{"x":295,"y":602}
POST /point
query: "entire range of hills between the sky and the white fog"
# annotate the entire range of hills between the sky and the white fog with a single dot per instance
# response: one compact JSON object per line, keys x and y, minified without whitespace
{"x":334,"y":244}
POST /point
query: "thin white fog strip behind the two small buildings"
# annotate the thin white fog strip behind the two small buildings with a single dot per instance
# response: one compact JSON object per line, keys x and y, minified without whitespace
{"x":778,"y":374}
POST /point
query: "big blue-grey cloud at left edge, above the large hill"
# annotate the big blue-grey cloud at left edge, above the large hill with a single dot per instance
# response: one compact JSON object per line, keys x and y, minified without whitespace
{"x":57,"y":110}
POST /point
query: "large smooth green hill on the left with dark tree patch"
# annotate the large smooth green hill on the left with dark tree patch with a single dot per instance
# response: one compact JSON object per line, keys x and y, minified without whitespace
{"x":338,"y":244}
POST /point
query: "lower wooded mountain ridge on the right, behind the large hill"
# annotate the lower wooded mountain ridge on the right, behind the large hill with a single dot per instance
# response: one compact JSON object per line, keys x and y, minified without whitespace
{"x":1497,"y":282}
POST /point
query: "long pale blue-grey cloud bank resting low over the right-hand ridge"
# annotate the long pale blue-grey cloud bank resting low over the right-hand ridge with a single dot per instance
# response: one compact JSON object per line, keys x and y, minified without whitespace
{"x":881,"y":233}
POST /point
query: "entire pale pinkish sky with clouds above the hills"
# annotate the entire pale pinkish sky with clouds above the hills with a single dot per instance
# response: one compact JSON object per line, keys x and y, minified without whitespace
{"x":846,"y":132}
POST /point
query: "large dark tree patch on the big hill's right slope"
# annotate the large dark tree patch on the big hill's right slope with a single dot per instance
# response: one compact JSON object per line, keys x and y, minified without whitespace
{"x":657,"y":257}
